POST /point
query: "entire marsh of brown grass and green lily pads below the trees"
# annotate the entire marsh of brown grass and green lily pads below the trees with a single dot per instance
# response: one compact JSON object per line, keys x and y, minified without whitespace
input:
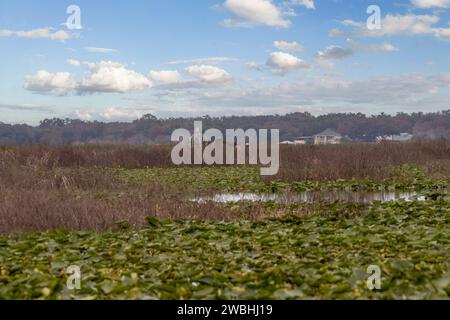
{"x":133,"y":227}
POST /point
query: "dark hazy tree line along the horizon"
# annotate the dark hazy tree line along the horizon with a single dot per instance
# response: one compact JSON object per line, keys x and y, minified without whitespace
{"x":152,"y":130}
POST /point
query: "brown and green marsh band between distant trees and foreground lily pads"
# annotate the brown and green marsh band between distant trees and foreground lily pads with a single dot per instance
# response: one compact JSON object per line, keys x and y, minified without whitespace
{"x":95,"y":187}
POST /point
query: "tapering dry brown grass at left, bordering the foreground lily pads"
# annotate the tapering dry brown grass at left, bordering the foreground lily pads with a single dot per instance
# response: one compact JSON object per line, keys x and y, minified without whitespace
{"x":35,"y":198}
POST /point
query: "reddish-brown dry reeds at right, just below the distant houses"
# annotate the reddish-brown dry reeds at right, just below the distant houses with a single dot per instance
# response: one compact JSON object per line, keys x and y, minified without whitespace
{"x":362,"y":161}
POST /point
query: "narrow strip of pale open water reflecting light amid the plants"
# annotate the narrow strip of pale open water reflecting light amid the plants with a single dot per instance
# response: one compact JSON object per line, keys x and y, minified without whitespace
{"x":313,"y":197}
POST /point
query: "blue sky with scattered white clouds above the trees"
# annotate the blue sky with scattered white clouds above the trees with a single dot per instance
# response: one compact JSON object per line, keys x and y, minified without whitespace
{"x":221,"y":57}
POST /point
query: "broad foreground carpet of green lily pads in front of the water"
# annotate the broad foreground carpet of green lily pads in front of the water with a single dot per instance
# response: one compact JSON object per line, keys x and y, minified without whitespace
{"x":293,"y":257}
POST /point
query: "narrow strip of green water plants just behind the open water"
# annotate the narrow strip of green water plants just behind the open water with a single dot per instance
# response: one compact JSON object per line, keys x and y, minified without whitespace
{"x":247,"y":179}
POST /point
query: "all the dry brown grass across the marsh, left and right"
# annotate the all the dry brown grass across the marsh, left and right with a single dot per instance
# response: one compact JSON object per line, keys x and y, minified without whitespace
{"x":43,"y":188}
